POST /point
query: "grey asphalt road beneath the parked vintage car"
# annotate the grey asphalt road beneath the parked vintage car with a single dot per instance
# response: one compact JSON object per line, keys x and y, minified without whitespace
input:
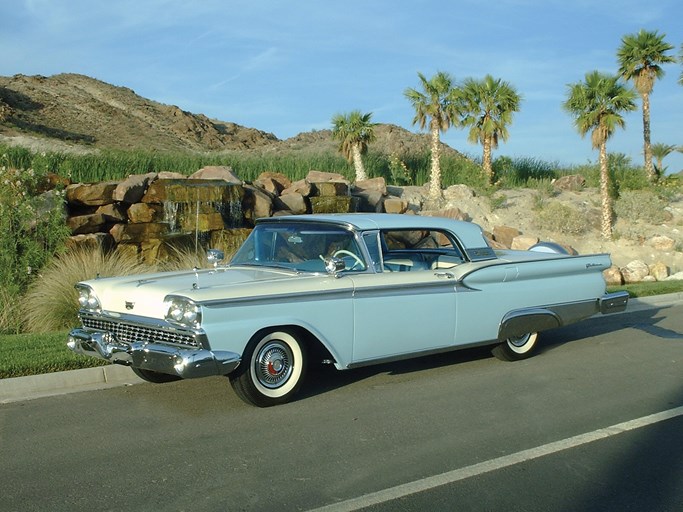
{"x":593,"y":422}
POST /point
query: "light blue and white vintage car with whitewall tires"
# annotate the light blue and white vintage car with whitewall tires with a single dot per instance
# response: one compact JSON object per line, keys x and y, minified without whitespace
{"x":349,"y":290}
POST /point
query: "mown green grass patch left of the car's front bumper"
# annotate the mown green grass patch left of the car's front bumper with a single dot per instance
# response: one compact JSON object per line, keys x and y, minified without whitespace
{"x":32,"y":354}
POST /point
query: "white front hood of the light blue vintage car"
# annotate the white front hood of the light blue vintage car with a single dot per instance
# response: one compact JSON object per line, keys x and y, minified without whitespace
{"x":144,"y":294}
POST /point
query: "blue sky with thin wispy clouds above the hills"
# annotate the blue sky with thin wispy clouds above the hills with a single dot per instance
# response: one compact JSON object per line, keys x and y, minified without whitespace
{"x":287,"y":67}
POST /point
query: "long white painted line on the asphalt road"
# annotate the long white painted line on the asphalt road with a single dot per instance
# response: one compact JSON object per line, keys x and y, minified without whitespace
{"x":494,"y":464}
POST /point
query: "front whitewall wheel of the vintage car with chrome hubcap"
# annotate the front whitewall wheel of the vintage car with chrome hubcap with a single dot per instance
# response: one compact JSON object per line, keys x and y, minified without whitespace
{"x":272,"y":369}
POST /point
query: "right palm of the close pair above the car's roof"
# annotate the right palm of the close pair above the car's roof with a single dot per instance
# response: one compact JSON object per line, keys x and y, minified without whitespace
{"x":487,"y":107}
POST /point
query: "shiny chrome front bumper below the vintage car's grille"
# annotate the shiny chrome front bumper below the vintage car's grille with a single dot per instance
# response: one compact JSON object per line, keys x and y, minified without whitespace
{"x":187,"y":363}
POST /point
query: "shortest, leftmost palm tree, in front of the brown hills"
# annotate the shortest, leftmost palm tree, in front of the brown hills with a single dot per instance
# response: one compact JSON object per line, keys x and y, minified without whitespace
{"x":354,"y":131}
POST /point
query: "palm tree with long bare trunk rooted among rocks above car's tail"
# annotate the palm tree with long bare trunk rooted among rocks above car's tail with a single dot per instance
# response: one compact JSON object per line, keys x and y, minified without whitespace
{"x":597,"y":105}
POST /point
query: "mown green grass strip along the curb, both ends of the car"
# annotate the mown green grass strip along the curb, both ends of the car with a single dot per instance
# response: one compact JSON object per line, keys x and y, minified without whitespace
{"x":32,"y":354}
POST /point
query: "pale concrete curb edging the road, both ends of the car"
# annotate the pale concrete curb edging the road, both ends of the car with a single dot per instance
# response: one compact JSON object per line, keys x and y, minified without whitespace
{"x":102,"y":377}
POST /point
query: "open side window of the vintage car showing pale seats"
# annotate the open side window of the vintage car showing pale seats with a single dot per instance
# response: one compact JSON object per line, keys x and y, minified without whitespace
{"x":419,"y":249}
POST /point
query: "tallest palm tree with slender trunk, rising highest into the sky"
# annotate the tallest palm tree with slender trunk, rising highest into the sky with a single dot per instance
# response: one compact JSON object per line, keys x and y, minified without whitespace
{"x":640,"y":58}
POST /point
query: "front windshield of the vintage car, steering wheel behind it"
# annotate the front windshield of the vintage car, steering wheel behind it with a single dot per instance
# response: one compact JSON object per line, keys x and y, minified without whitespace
{"x":298,"y":246}
